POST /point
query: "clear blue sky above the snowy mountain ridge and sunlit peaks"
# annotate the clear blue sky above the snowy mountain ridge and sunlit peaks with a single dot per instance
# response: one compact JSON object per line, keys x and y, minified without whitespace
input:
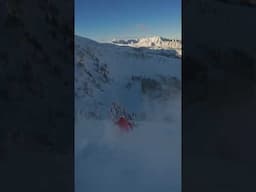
{"x":104,"y":20}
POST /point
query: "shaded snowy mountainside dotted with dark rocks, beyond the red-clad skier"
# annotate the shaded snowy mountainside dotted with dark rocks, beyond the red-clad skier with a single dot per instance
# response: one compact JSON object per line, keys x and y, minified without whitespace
{"x":102,"y":72}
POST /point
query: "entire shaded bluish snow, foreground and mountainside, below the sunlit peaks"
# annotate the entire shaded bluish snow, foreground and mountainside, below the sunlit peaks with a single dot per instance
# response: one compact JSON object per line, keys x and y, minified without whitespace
{"x":149,"y":157}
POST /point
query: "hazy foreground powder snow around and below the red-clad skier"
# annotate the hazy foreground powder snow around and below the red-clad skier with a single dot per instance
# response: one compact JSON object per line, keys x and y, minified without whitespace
{"x":146,"y":159}
